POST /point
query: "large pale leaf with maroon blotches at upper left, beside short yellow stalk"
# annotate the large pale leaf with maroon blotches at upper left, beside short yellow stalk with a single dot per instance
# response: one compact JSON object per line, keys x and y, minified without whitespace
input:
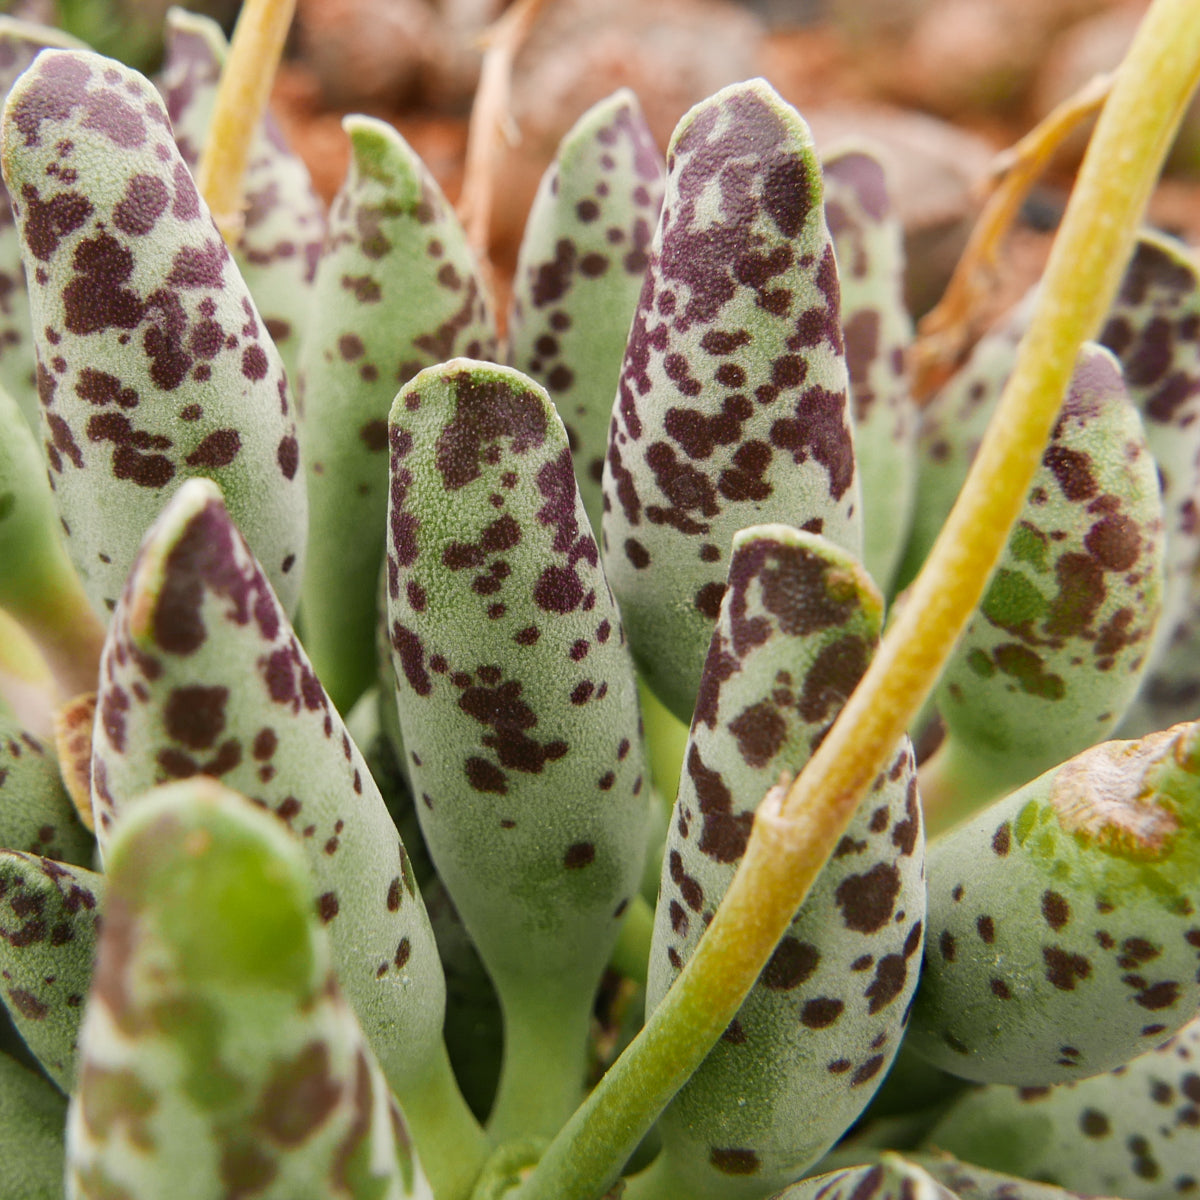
{"x":153,"y":363}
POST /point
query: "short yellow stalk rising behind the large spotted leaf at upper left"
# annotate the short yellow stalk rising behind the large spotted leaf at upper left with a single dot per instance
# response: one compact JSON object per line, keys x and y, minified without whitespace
{"x":242,"y":100}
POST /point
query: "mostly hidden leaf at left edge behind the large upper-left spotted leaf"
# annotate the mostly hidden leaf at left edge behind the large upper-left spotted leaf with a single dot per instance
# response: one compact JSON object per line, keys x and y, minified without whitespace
{"x":20,"y":45}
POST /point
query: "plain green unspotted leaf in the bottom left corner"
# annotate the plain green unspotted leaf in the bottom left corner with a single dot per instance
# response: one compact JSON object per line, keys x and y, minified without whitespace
{"x":32,"y":1119}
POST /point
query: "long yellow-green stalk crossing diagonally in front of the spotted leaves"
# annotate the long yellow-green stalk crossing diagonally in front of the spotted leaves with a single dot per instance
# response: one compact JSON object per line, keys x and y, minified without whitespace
{"x":794,"y":836}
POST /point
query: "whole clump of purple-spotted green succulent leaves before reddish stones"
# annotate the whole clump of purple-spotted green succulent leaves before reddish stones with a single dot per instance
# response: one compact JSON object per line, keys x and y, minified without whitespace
{"x":367,"y":907}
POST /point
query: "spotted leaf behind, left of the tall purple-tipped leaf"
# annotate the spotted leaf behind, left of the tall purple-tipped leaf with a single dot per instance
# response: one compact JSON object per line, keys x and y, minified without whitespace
{"x":580,"y":274}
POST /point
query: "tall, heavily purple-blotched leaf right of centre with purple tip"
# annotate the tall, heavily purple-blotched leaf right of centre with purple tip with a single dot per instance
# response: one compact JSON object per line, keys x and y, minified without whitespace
{"x":733,"y":404}
